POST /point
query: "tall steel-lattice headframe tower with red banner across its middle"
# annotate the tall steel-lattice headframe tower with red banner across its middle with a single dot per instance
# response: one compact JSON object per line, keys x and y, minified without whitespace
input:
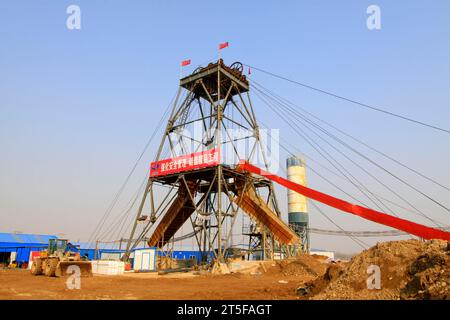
{"x":212,"y":126}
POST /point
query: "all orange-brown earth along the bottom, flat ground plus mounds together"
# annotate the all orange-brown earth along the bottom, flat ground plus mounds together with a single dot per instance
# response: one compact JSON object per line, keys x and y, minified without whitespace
{"x":410,"y":269}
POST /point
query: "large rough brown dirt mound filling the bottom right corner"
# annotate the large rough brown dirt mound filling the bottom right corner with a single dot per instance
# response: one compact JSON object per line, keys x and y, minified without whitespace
{"x":409,"y":269}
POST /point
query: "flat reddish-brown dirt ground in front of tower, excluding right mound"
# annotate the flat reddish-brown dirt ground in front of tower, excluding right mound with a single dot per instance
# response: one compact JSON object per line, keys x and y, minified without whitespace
{"x":258,"y":284}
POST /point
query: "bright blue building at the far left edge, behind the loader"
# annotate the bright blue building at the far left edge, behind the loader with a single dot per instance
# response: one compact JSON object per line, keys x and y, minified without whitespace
{"x":17,"y":246}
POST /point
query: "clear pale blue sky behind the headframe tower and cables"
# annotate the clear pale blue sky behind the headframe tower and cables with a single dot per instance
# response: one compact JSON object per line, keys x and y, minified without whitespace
{"x":77,"y":107}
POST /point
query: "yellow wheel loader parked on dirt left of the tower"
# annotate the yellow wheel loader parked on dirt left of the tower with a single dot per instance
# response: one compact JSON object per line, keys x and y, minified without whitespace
{"x":58,"y":258}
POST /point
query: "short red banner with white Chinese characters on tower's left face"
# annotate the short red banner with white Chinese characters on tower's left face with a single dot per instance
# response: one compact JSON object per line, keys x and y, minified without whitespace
{"x":185,"y":162}
